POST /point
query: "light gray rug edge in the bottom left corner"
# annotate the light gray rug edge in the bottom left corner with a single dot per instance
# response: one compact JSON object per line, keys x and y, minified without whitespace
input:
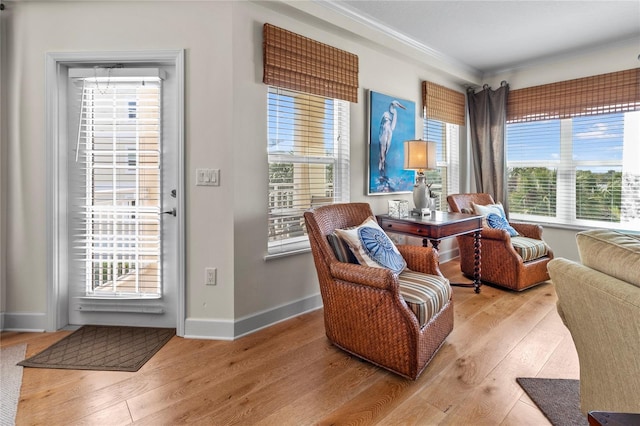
{"x":11,"y":377}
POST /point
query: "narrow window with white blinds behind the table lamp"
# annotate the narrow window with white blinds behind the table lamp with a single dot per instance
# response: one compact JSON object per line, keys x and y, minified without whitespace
{"x":445,"y":179}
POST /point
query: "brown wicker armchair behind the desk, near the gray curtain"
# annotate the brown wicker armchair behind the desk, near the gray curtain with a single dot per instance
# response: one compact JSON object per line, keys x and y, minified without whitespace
{"x":501,"y":264}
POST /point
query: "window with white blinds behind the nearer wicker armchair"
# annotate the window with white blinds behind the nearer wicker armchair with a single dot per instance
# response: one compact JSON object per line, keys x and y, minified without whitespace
{"x":308,"y":154}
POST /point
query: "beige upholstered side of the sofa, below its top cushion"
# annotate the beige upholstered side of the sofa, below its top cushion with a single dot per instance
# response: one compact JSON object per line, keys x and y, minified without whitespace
{"x":603,"y":315}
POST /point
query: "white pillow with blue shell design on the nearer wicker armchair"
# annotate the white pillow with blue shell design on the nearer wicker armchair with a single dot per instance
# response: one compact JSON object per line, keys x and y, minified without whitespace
{"x":372,"y":247}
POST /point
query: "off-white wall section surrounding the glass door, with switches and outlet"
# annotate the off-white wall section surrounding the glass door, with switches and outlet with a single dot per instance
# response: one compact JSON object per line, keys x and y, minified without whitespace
{"x":204,"y":30}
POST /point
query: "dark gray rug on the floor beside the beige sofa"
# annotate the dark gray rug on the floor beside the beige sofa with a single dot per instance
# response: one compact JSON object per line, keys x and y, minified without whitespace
{"x":558,"y":399}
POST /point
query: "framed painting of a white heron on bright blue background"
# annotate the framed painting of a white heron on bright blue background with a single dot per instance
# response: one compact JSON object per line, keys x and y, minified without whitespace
{"x":391,"y":122}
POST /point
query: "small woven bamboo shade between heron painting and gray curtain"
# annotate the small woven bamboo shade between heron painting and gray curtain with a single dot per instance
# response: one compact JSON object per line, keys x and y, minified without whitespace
{"x":443,"y":104}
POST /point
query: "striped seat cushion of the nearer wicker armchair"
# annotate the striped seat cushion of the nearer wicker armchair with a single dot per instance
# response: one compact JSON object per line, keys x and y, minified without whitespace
{"x":424,"y":294}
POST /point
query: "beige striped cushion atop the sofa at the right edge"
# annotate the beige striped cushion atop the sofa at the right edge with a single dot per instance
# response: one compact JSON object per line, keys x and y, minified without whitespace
{"x":612,"y":253}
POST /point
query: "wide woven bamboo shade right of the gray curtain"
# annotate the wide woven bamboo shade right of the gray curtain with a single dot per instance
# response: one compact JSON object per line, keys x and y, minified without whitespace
{"x":600,"y":94}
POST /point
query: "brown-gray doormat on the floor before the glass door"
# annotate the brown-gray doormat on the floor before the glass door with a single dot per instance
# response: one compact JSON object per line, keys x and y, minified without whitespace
{"x":107,"y":348}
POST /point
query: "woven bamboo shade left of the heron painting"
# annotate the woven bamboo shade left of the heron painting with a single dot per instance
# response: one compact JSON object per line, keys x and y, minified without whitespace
{"x":294,"y":62}
